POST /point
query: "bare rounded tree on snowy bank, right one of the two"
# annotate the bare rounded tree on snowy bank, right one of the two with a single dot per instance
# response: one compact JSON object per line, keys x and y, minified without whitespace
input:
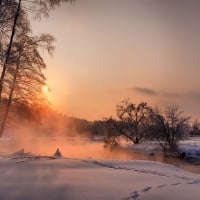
{"x":169,"y":127}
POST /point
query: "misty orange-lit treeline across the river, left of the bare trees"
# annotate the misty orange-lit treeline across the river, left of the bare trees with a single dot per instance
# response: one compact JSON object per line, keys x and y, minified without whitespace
{"x":44,"y":121}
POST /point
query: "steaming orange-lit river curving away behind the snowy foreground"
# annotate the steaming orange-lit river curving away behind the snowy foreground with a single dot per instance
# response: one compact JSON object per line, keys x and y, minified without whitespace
{"x":86,"y":148}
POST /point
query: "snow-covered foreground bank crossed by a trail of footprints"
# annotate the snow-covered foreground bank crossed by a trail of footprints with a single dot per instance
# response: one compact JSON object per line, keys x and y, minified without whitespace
{"x":45,"y":178}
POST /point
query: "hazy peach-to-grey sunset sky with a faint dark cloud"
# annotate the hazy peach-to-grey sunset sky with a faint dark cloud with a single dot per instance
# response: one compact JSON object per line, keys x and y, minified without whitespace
{"x":110,"y":50}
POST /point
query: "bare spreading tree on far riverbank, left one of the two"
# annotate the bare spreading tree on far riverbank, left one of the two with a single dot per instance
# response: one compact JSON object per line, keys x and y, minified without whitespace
{"x":132,"y":123}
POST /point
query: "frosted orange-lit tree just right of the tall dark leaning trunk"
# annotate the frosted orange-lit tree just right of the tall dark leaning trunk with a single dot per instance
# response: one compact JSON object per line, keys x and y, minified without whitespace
{"x":24,"y":78}
